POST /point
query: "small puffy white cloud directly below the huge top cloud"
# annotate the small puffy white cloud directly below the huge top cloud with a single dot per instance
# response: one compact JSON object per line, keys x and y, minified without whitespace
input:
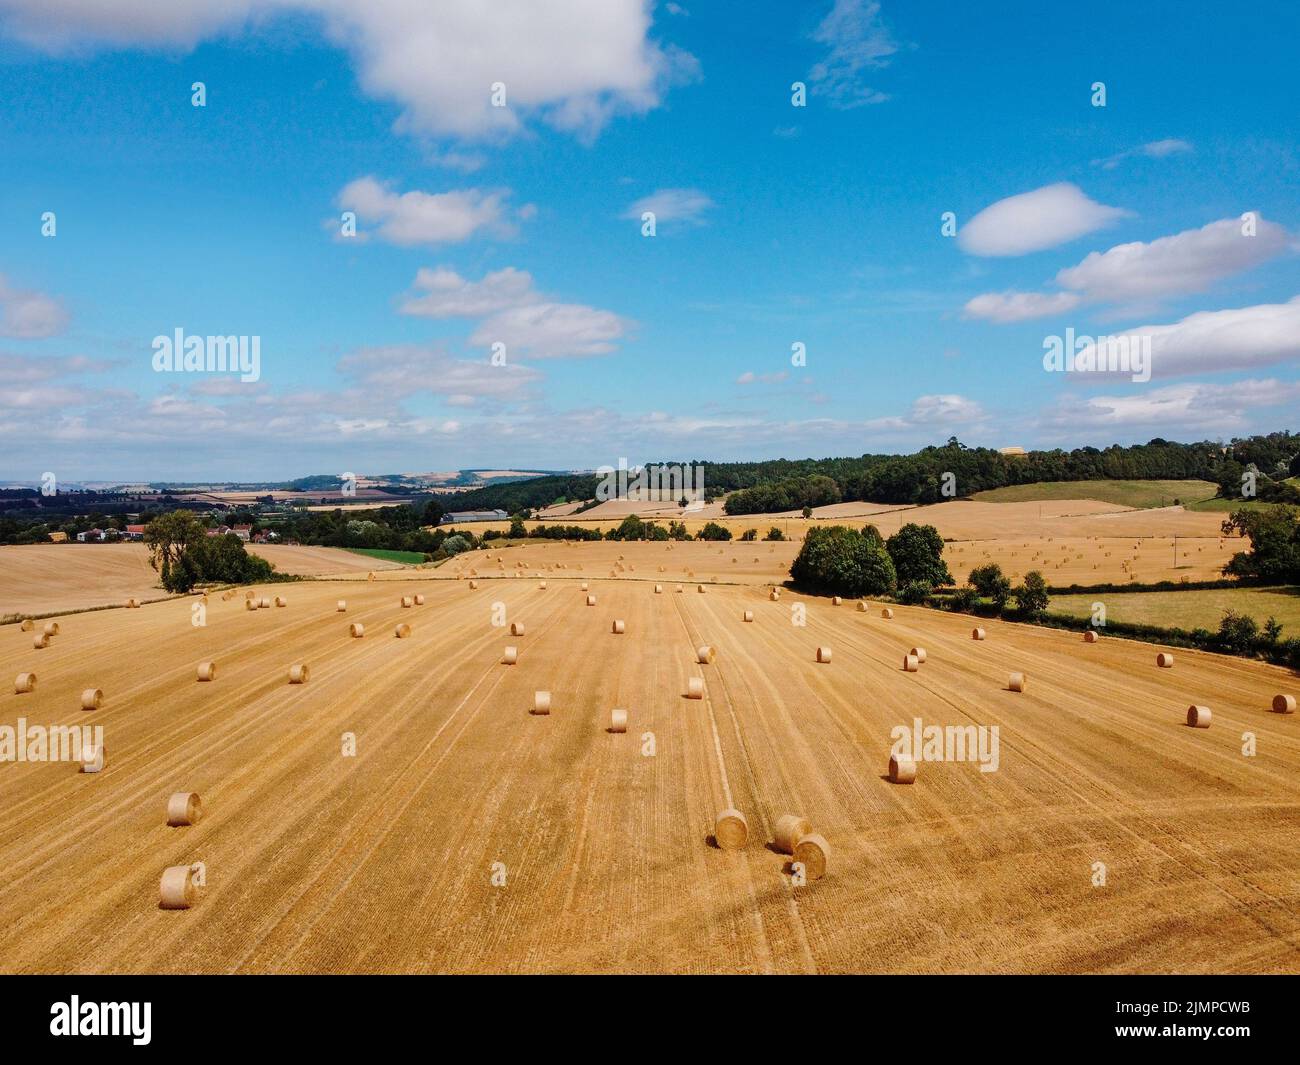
{"x":418,"y":218}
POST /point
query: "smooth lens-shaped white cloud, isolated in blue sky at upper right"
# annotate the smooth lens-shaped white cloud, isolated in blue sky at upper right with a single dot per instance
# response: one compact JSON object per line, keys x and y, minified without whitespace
{"x":1033,"y":222}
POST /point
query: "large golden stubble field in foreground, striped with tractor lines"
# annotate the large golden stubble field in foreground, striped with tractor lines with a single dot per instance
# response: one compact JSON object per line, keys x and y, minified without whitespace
{"x":385,"y":861}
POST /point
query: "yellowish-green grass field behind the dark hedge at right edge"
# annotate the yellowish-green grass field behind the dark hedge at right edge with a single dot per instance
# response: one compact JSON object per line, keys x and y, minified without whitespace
{"x":1189,"y":611}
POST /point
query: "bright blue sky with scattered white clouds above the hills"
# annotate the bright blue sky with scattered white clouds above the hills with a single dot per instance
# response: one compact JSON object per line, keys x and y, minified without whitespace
{"x":775,"y":224}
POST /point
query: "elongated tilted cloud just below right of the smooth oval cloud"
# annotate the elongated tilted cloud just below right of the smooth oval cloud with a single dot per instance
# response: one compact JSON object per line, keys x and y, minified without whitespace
{"x":1189,"y":262}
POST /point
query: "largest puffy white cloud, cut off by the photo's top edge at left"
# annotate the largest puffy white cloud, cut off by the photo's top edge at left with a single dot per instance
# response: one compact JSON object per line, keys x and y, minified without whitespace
{"x":571,"y":63}
